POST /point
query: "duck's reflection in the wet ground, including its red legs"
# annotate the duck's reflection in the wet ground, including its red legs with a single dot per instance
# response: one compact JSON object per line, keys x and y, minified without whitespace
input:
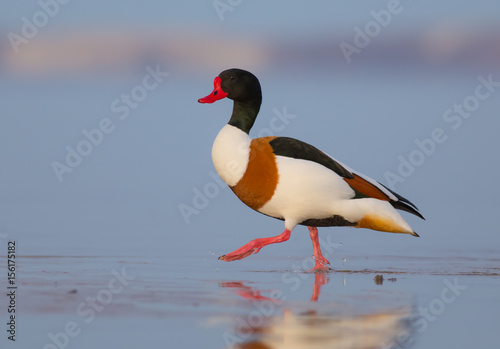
{"x":373,"y":321}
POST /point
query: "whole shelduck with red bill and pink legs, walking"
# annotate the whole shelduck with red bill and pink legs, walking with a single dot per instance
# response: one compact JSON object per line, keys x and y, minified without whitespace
{"x":293,"y":181}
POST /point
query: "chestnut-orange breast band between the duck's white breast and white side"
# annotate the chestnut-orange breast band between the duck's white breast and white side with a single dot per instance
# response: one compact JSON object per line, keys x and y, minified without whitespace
{"x":257,"y":185}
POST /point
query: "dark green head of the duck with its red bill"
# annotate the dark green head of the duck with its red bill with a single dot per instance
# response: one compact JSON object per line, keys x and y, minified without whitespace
{"x":239,"y":85}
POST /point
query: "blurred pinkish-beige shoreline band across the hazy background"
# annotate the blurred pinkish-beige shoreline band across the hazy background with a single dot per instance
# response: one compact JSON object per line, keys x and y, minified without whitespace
{"x":441,"y":48}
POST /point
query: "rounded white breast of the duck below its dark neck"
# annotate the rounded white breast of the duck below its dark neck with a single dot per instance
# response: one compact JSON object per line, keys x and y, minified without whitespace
{"x":230,"y":153}
